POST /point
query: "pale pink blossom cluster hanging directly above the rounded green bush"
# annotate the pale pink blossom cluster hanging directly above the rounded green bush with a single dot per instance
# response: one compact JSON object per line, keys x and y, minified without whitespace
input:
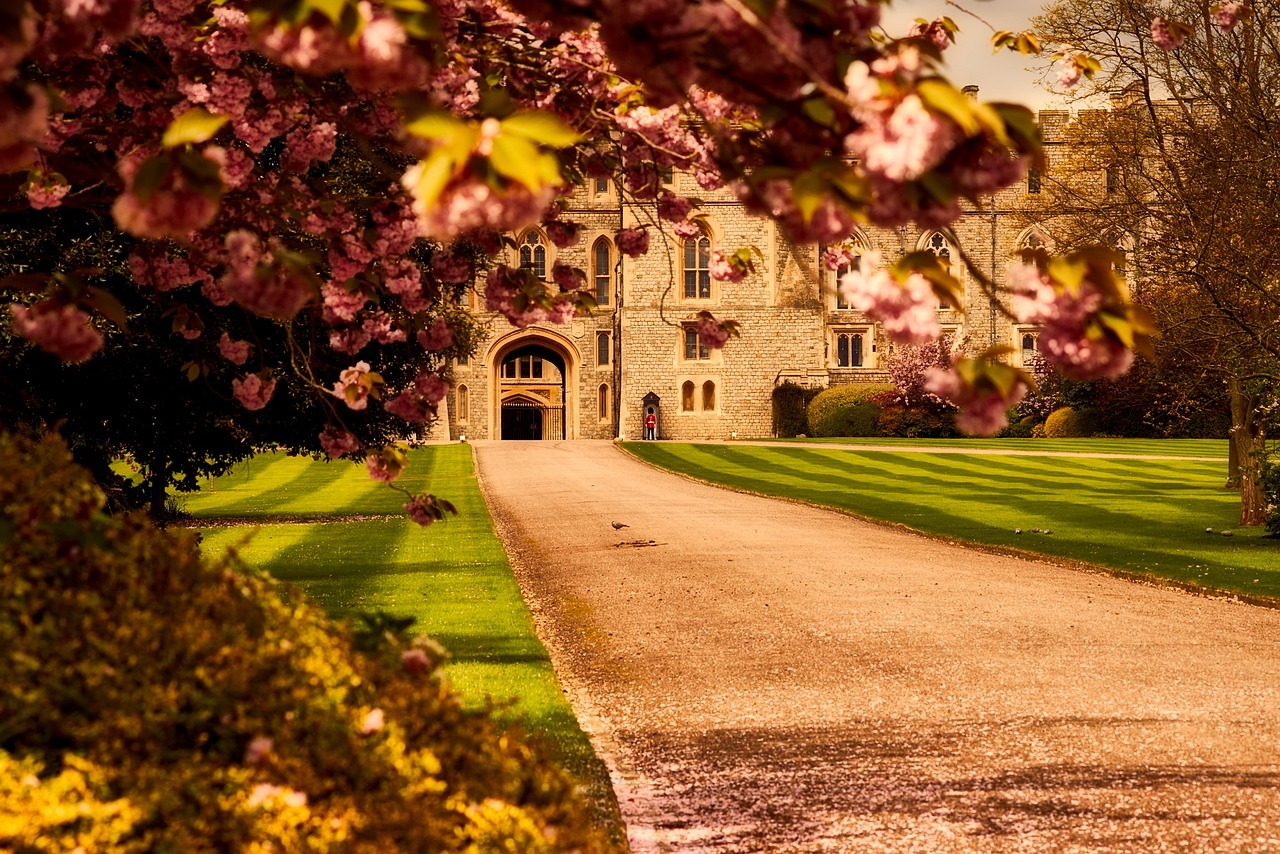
{"x":907,"y":310}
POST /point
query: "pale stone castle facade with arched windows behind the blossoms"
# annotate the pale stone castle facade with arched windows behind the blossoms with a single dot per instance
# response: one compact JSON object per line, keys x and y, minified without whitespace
{"x":596,"y":377}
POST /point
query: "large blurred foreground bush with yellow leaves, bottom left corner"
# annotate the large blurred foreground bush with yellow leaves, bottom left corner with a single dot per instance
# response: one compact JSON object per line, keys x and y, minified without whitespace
{"x":157,"y":701}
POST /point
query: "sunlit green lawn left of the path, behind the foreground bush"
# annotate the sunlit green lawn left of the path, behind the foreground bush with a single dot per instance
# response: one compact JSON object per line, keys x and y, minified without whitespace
{"x":294,"y":518}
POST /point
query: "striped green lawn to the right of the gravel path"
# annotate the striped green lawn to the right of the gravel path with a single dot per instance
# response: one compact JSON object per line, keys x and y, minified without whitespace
{"x":1141,"y":517}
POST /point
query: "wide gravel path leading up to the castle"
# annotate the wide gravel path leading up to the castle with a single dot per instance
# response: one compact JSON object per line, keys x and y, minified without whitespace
{"x":764,"y":677}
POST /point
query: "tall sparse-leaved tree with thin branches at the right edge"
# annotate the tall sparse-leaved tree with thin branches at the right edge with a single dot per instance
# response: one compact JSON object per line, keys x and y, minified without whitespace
{"x":1181,"y":172}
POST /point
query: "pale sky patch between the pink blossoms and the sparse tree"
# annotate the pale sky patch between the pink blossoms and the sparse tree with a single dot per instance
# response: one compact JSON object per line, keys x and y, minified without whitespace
{"x":1002,"y":77}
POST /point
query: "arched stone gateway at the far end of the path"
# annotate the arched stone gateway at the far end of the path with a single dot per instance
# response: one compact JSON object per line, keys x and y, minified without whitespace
{"x":533,"y":378}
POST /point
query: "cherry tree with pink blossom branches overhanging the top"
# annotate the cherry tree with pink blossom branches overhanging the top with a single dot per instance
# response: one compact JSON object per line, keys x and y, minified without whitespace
{"x":208,"y":131}
